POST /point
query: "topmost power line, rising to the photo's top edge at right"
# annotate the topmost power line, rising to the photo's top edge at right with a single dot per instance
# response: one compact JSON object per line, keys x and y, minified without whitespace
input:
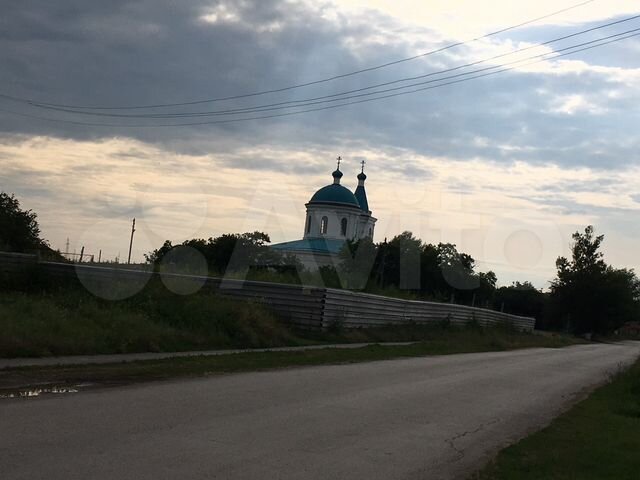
{"x":314,"y":82}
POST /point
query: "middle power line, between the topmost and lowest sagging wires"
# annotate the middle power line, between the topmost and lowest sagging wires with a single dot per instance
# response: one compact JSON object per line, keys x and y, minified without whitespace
{"x":315,"y":100}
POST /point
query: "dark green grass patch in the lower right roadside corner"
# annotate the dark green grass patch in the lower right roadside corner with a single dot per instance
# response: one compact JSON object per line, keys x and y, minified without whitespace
{"x":598,"y":439}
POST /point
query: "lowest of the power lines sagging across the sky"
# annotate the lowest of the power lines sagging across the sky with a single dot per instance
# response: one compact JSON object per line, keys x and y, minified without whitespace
{"x":366,"y":100}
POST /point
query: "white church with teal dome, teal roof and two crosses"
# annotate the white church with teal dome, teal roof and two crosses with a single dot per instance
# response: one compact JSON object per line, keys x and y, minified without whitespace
{"x":335,"y":214}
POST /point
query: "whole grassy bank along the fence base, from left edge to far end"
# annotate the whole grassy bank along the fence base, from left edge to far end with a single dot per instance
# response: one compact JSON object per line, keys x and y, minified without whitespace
{"x":70,"y":320}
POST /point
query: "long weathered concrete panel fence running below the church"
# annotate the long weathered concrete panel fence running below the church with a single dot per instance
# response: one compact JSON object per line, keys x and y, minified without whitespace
{"x":302,"y":306}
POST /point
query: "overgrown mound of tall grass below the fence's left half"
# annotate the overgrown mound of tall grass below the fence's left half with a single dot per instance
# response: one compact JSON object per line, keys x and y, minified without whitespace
{"x":72,"y":321}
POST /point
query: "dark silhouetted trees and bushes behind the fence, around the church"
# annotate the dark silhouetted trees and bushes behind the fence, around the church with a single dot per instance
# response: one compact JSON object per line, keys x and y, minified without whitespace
{"x":587,"y":294}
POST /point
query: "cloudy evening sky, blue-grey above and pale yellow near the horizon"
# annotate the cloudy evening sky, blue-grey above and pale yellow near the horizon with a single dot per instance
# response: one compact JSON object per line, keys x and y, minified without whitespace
{"x":506,"y":166}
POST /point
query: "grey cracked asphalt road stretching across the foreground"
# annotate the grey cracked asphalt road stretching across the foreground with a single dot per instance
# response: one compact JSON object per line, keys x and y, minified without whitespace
{"x":419,"y":418}
